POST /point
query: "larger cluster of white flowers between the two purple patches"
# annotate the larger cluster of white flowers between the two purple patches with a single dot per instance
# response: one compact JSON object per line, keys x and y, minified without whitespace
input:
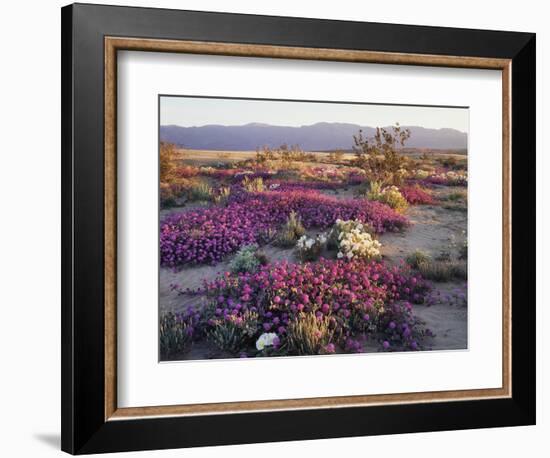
{"x":355,"y":241}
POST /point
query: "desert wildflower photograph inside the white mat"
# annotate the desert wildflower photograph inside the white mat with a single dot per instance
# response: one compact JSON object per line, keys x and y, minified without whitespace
{"x":300,"y":228}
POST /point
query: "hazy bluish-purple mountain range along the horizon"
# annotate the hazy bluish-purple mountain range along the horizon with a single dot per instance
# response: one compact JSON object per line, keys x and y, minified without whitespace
{"x":317,"y":137}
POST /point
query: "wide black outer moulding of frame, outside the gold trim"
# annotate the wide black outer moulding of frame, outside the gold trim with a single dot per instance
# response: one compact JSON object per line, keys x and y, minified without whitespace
{"x":84,"y":427}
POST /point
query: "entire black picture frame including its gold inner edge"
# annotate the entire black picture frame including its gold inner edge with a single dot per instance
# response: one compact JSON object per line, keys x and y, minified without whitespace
{"x":92,"y":35}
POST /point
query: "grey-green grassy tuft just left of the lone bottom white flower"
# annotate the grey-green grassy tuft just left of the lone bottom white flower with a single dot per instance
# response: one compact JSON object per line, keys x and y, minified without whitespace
{"x":232,"y":333}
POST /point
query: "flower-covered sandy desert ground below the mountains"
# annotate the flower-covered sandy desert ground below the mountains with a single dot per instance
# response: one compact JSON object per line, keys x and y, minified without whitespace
{"x":238,"y":227}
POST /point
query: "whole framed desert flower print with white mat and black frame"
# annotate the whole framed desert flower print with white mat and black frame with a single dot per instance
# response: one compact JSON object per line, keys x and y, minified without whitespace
{"x":281,"y":228}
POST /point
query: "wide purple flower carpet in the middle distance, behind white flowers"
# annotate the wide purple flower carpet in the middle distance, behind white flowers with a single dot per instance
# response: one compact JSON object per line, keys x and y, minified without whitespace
{"x":207,"y":235}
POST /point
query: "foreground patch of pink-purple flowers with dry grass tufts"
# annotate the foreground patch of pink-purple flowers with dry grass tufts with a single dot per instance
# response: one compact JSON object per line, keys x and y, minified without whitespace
{"x":357,"y":300}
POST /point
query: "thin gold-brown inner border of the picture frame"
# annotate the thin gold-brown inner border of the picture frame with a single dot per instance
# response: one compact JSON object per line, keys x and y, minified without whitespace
{"x":114,"y":44}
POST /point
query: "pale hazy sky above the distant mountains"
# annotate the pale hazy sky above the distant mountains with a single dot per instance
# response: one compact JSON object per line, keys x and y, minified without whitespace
{"x":196,"y":111}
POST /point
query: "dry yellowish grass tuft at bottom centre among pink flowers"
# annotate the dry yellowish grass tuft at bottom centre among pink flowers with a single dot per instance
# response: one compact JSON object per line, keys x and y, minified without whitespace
{"x":308,"y":334}
